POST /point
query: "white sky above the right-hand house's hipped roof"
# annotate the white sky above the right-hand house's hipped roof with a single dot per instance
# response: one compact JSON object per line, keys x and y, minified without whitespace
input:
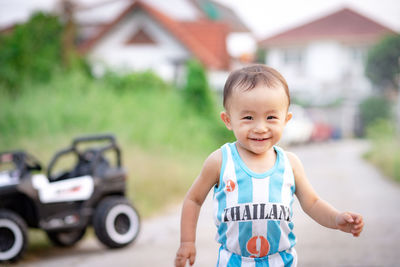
{"x":268,"y":17}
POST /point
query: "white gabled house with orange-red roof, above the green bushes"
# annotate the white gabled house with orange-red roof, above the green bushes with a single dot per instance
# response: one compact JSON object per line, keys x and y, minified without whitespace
{"x":162,"y":36}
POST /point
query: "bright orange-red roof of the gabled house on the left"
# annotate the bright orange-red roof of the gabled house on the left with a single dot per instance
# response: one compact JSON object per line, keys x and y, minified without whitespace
{"x":192,"y":35}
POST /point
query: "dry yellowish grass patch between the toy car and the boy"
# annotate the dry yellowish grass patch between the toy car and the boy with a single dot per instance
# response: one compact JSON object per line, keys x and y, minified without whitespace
{"x":158,"y":180}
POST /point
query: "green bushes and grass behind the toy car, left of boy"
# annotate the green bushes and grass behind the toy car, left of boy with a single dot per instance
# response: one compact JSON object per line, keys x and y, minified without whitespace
{"x":164,"y":134}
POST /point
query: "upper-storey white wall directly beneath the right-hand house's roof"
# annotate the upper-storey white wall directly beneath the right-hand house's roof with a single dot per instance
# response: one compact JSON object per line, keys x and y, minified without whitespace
{"x":323,"y":70}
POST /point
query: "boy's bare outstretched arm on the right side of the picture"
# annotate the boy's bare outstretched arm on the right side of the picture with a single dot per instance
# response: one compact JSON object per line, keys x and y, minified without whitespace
{"x":320,"y":210}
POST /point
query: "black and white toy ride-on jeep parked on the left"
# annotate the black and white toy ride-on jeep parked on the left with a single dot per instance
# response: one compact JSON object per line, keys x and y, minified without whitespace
{"x":64,"y":203}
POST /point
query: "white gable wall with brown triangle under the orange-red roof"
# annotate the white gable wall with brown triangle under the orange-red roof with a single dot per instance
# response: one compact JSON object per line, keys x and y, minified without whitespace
{"x":113,"y":52}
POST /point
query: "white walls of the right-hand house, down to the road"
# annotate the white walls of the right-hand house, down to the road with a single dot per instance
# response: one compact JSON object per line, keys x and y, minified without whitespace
{"x":322,"y":72}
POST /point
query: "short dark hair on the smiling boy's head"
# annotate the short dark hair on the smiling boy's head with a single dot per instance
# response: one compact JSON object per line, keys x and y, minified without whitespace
{"x":249,"y":77}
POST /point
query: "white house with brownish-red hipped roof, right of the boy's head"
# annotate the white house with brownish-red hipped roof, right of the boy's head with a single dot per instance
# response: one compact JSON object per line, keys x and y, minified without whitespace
{"x":324,"y":61}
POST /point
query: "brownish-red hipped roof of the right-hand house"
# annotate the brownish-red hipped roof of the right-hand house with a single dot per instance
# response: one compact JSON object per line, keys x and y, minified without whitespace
{"x":345,"y":25}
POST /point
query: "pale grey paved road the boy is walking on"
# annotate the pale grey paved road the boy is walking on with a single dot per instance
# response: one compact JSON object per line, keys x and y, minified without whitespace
{"x":339,"y":175}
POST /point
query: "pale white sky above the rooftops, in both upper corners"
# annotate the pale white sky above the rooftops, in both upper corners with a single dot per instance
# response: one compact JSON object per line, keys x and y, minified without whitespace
{"x":263,"y":17}
